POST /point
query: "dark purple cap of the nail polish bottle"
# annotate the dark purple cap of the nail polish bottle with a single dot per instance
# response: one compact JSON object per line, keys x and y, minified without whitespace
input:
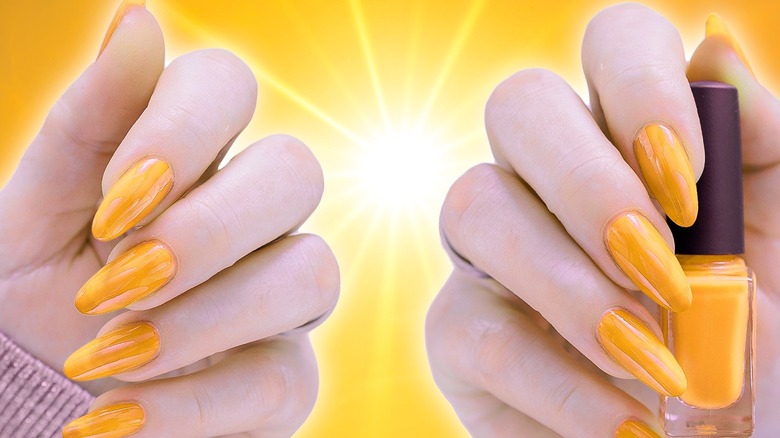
{"x":719,"y":226}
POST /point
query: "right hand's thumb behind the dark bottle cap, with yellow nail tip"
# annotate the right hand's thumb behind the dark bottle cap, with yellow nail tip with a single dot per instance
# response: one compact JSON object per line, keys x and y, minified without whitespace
{"x":720,"y":58}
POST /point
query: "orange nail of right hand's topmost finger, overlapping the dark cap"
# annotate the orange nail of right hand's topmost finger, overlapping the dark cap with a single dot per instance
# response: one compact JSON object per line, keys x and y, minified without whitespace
{"x":668,"y":172}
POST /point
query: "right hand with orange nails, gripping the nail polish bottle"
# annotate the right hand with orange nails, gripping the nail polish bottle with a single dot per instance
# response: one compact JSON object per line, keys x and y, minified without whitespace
{"x":537,"y":334}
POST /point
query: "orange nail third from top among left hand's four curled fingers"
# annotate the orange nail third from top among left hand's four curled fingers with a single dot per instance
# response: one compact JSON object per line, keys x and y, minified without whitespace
{"x":120,"y":350}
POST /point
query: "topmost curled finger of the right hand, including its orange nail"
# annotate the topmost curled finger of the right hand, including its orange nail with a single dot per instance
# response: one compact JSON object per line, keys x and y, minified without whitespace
{"x":639,"y":83}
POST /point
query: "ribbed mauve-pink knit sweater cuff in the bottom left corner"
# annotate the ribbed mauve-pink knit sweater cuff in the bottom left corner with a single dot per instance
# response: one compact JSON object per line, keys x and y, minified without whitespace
{"x":35,"y":400}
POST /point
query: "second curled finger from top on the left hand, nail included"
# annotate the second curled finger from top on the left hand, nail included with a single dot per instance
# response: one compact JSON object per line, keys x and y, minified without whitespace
{"x":266,"y":191}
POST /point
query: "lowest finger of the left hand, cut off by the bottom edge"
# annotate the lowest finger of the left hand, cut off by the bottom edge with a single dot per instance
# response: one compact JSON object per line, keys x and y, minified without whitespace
{"x":268,"y":389}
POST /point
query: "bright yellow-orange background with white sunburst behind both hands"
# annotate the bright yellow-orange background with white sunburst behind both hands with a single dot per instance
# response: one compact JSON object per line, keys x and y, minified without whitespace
{"x":389,"y":95}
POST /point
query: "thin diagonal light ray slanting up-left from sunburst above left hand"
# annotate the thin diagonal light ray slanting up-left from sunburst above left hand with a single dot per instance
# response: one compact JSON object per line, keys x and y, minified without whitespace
{"x":261,"y":74}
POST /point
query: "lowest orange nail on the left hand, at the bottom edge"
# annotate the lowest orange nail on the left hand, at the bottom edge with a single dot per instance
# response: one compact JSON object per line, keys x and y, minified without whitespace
{"x":112,"y":421}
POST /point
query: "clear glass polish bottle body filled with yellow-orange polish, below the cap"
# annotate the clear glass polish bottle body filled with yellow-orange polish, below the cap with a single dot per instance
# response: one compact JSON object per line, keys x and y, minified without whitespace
{"x":713,"y":341}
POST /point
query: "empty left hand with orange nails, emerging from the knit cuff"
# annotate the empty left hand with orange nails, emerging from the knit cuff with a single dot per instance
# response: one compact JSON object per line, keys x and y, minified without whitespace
{"x":202,"y":257}
